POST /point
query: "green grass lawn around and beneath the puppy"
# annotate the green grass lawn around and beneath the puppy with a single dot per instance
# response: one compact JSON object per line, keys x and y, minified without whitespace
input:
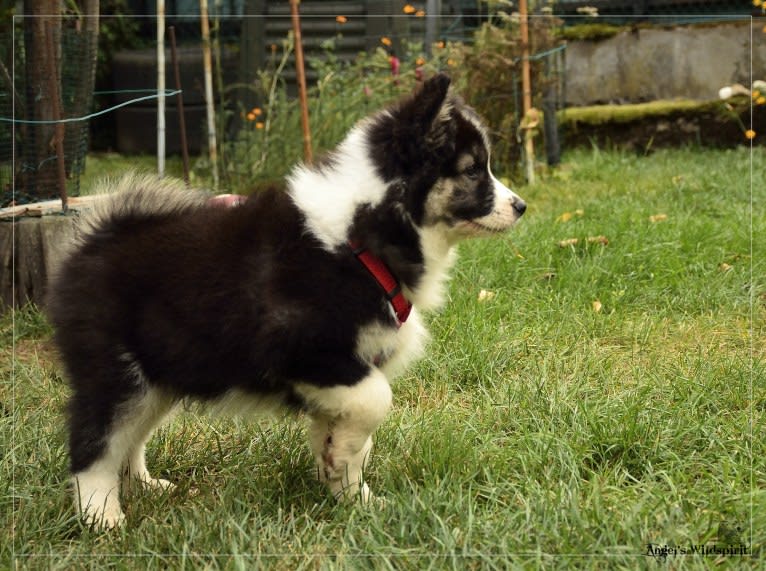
{"x":542,"y":429}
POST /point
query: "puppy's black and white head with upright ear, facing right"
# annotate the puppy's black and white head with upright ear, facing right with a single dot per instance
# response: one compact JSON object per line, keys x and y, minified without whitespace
{"x":437,"y":151}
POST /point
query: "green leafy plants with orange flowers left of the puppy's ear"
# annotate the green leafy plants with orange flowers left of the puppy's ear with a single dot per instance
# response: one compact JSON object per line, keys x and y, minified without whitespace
{"x":269,"y":143}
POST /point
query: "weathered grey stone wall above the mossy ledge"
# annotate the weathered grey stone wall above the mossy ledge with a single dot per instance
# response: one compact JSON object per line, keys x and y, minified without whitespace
{"x":683,"y":62}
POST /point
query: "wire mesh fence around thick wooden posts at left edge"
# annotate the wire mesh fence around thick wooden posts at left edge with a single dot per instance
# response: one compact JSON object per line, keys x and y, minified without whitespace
{"x":38,"y":97}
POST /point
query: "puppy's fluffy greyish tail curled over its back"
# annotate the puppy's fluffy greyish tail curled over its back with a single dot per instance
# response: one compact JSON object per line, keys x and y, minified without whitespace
{"x":135,"y":195}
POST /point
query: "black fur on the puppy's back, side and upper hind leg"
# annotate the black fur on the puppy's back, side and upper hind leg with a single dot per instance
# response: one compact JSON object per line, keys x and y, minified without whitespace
{"x":205,"y":301}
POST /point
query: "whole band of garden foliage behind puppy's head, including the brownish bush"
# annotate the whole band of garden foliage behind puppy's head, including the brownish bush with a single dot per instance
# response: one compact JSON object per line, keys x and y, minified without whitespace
{"x":487,"y":72}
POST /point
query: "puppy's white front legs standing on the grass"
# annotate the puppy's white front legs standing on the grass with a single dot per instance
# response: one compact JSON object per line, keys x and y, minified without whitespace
{"x":343,"y":420}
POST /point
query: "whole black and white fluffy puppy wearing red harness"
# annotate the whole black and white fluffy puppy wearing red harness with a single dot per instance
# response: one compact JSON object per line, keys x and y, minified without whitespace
{"x":308,"y":298}
